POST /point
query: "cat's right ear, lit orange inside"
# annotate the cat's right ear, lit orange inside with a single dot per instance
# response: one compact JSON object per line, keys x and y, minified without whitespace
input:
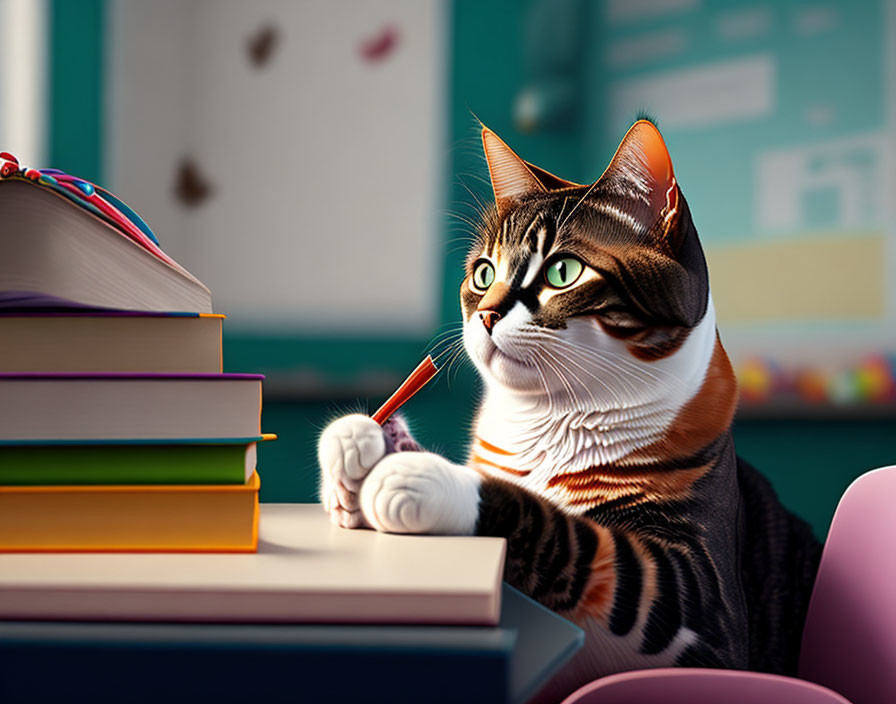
{"x":642,"y":170}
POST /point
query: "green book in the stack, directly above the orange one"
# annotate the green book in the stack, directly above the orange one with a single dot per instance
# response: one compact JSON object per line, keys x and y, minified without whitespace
{"x":228,"y":461}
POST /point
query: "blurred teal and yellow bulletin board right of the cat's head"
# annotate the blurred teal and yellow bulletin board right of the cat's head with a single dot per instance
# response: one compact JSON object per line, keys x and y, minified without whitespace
{"x":780,"y":121}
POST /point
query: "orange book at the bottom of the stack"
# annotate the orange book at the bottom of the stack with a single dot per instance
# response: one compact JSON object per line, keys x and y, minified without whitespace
{"x":200,"y":517}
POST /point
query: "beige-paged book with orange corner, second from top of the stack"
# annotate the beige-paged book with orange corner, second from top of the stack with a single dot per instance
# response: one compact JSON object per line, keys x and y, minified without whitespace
{"x":110,"y":342}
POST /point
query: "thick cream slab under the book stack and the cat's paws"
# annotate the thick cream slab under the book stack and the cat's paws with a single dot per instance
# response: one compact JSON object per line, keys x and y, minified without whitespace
{"x":306,"y":570}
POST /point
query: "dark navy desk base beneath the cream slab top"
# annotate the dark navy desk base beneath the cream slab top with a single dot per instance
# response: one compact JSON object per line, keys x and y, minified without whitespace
{"x":146,"y":662}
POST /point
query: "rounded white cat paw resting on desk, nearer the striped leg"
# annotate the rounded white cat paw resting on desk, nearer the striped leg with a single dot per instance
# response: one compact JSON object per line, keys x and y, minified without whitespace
{"x":419,"y":492}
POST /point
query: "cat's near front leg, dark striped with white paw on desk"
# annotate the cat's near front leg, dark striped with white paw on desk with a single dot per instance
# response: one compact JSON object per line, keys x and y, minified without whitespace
{"x":628,"y":589}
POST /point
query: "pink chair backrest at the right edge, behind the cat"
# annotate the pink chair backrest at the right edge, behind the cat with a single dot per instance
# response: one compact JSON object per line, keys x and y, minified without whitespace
{"x":849,"y":642}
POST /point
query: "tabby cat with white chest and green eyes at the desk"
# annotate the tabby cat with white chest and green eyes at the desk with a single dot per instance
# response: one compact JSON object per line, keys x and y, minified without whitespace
{"x":602,"y":449}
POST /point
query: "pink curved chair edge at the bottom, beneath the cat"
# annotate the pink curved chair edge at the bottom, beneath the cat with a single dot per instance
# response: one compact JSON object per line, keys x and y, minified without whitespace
{"x":700,"y":686}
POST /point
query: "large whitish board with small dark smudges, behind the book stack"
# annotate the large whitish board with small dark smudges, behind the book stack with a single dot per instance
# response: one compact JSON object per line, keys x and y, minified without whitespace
{"x":324,"y":164}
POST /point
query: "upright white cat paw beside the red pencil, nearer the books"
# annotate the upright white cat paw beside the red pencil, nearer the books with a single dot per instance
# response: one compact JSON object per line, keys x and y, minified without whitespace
{"x":348,"y":449}
